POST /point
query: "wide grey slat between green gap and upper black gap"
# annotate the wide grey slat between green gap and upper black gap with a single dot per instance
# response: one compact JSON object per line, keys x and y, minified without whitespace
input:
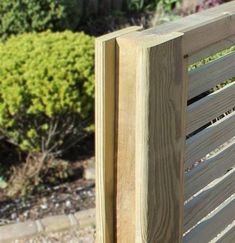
{"x":209,"y":75}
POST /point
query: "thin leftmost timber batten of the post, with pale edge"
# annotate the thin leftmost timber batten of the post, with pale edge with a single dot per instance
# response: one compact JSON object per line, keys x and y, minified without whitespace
{"x":105,"y":130}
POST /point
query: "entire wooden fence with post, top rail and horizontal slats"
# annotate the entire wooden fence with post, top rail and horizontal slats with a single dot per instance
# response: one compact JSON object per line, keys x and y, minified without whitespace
{"x":142,"y":119}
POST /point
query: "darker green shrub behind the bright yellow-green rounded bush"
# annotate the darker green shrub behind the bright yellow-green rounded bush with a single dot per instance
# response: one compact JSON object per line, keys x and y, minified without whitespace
{"x":19,"y":16}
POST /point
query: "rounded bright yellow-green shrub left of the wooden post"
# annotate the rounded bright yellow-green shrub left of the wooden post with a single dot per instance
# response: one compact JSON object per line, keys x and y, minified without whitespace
{"x":46,"y":89}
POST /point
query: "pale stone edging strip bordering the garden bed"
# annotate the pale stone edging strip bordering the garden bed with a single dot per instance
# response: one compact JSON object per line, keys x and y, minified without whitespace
{"x":27,"y":229}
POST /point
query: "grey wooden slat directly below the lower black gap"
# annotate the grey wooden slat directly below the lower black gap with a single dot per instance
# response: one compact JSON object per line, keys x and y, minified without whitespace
{"x":209,"y":139}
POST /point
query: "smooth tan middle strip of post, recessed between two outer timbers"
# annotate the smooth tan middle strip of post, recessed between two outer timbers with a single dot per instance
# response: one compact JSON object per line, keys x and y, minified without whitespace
{"x":125,"y":165}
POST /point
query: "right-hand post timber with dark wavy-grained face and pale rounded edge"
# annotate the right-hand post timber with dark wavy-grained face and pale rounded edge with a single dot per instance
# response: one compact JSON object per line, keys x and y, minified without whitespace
{"x":160,"y":140}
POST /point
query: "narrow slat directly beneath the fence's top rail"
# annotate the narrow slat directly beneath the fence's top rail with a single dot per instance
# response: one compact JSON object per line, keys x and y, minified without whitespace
{"x":212,"y":49}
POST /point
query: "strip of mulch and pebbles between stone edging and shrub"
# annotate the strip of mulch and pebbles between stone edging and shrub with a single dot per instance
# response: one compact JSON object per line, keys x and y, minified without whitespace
{"x":69,"y":197}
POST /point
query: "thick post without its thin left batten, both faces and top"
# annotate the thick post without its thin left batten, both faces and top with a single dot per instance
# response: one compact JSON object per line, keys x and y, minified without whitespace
{"x":151,"y":107}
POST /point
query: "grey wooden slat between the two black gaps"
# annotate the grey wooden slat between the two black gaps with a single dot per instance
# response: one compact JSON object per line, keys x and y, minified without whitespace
{"x":210,"y":107}
